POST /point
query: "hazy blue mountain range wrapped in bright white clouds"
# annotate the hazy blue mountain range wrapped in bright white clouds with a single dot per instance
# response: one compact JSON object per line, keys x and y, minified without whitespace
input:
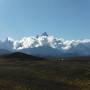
{"x":47,"y":45}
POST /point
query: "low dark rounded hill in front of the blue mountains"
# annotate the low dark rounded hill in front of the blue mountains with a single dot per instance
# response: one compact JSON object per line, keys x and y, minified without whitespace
{"x":19,"y":57}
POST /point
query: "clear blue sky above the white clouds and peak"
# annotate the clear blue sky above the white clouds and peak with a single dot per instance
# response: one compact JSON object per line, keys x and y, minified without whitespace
{"x":69,"y":19}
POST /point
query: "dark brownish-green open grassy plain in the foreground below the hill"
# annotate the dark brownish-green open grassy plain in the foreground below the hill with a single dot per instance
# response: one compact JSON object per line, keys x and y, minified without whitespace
{"x":27,"y":74}
